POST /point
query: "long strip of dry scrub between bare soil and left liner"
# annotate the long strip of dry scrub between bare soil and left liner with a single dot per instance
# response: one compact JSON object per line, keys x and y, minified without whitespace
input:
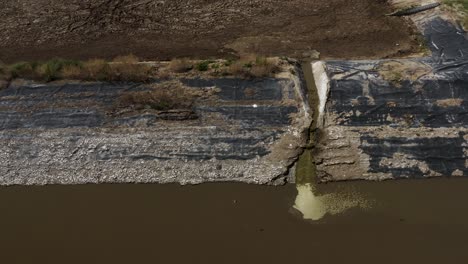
{"x":130,"y":69}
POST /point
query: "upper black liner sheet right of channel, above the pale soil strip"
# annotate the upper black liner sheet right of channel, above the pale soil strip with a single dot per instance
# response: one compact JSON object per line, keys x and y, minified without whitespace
{"x":371,"y":99}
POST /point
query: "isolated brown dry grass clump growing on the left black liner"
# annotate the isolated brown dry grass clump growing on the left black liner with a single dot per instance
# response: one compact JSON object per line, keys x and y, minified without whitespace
{"x":161,"y":98}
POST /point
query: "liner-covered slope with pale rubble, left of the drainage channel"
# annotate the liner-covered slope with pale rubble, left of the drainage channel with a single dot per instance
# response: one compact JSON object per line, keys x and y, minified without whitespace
{"x":71,"y":133}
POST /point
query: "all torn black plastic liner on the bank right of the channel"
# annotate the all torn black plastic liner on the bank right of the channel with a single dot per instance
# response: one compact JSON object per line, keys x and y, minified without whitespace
{"x":362,"y":99}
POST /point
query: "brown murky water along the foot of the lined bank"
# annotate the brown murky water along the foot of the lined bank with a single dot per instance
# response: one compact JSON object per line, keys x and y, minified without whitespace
{"x":400,"y":222}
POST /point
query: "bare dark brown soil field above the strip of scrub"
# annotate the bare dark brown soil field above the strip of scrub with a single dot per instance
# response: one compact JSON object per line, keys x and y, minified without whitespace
{"x":161,"y":30}
